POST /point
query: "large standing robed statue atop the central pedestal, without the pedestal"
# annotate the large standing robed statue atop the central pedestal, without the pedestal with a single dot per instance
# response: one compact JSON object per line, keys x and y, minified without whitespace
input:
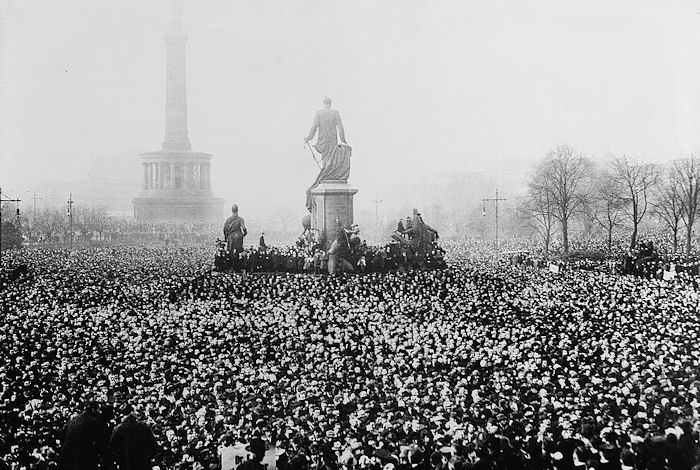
{"x":335,"y":157}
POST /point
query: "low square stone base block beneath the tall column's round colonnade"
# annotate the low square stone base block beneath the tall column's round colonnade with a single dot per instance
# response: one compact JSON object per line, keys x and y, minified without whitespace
{"x":154,"y":209}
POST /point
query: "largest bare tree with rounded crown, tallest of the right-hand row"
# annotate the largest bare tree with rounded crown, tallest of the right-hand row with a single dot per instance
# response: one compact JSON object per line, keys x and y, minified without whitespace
{"x":565,"y":176}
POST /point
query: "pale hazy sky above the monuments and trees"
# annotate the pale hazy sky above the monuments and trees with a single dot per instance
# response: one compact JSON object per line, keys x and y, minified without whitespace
{"x":422,"y":86}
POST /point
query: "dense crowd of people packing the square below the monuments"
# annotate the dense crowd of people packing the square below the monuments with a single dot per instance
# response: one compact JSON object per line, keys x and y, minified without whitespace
{"x":480,"y":365}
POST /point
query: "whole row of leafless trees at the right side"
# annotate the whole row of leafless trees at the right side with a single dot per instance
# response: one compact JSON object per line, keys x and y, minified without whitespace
{"x":566,"y":186}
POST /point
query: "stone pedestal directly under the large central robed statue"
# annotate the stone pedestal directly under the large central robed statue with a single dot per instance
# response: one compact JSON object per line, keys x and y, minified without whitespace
{"x":332,"y":204}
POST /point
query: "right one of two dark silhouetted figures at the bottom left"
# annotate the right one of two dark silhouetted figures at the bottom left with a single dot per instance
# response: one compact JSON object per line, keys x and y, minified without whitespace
{"x":132,"y":445}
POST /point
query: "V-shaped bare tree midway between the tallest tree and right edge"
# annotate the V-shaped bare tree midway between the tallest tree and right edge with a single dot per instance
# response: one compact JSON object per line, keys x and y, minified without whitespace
{"x":634,"y":181}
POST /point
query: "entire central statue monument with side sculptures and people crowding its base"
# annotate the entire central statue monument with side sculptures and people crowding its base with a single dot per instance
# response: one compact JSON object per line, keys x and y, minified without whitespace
{"x":331,"y":241}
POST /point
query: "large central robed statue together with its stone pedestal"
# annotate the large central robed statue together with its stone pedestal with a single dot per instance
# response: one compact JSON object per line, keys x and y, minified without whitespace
{"x":330,"y":197}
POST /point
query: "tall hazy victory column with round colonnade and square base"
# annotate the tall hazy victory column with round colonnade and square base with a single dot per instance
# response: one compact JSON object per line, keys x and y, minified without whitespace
{"x":176,"y":181}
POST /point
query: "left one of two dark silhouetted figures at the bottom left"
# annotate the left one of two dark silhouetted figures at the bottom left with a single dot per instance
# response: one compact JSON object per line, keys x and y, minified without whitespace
{"x":84,"y":440}
